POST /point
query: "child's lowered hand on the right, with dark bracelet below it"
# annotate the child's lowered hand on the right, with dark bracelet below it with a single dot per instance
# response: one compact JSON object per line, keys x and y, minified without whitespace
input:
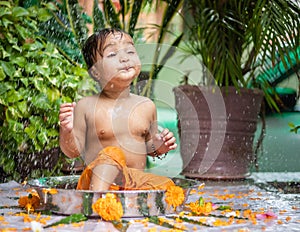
{"x":165,"y":141}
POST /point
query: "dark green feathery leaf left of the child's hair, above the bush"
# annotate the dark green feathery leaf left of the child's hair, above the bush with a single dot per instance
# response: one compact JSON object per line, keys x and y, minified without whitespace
{"x":66,"y":27}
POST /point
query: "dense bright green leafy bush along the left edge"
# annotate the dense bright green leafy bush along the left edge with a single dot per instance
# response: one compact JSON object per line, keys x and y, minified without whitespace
{"x":35,"y":80}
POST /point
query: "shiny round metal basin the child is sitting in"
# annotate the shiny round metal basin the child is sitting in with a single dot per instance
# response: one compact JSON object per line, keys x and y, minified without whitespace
{"x":66,"y":200}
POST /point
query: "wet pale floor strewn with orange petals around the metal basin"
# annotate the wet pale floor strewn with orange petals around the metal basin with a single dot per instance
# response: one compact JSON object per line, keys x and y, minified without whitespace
{"x":256,"y":205}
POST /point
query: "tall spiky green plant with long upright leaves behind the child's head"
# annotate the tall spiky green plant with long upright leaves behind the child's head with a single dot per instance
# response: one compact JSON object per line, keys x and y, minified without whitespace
{"x":67,"y":27}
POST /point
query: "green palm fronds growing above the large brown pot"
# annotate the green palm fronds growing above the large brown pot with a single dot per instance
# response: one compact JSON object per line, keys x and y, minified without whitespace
{"x":232,"y":36}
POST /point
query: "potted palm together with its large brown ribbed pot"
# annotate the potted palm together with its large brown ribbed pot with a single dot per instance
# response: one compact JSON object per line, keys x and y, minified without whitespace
{"x":234,"y":41}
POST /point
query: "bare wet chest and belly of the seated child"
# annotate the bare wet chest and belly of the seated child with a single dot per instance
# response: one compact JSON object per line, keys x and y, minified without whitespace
{"x":124,"y":124}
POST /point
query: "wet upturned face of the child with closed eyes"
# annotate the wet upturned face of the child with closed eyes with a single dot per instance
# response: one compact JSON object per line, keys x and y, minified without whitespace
{"x":120,"y":63}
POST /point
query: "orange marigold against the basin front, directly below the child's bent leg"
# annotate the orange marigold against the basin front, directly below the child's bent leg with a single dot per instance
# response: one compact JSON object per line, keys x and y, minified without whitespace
{"x":108,"y":208}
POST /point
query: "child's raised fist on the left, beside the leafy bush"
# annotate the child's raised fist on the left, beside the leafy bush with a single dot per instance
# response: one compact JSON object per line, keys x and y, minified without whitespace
{"x":66,"y":113}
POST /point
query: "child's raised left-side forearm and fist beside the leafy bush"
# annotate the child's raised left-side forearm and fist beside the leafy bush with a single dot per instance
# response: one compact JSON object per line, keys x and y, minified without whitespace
{"x":68,"y":142}
